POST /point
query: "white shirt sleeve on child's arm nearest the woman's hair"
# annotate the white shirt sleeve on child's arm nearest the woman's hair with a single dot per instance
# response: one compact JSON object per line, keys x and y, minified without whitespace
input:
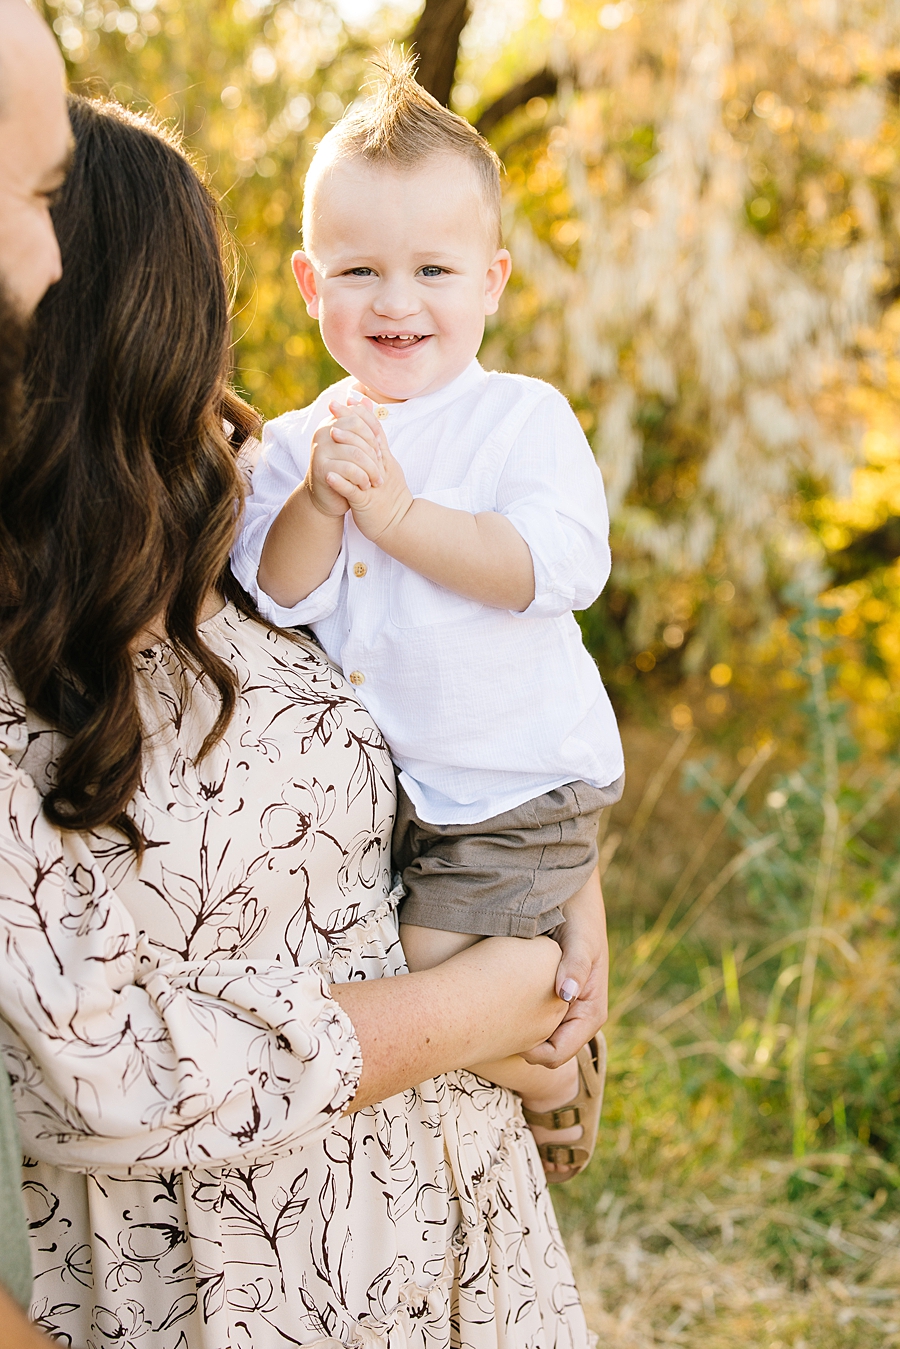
{"x":281,"y":467}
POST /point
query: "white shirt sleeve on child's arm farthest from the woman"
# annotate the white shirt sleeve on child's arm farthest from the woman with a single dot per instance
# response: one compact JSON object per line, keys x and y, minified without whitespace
{"x":553,"y":492}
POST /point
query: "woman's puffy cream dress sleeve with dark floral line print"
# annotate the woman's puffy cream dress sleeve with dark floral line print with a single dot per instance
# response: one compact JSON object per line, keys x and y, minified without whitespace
{"x":128,"y":1064}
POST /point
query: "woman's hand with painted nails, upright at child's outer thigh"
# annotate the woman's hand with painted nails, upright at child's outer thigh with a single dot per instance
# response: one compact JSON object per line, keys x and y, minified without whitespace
{"x":582,"y":977}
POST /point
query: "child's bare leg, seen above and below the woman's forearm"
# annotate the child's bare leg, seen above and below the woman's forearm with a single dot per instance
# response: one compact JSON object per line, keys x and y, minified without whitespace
{"x":540,"y":1089}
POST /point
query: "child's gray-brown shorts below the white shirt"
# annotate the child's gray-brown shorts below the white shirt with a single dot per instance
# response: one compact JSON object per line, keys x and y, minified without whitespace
{"x":509,"y":876}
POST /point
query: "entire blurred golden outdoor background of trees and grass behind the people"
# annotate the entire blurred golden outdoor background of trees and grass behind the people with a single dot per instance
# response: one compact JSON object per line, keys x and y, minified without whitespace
{"x":702,"y":203}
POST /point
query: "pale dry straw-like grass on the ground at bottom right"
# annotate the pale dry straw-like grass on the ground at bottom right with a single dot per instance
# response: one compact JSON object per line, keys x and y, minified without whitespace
{"x":686,"y":1273}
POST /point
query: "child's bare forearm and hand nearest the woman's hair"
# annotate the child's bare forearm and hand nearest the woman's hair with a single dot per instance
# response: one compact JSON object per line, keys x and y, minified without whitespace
{"x":304,"y":540}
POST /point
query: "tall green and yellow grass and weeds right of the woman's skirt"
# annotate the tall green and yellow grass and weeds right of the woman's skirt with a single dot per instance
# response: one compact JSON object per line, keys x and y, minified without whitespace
{"x":747,"y":1188}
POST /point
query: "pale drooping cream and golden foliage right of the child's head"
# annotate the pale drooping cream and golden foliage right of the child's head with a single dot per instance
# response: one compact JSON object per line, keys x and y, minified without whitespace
{"x":704,"y":214}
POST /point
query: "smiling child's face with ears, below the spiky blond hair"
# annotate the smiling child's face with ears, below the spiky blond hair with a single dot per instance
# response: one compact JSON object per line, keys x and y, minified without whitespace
{"x":401,"y":270}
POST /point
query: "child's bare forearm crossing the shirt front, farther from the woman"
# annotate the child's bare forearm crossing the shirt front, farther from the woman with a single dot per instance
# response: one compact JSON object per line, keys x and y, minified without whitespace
{"x":480,"y":556}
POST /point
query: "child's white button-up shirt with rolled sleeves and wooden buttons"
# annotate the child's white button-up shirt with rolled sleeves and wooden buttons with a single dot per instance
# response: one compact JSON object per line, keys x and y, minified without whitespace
{"x":484,"y":709}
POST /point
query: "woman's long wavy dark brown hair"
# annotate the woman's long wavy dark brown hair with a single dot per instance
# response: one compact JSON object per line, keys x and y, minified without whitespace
{"x":118,"y":503}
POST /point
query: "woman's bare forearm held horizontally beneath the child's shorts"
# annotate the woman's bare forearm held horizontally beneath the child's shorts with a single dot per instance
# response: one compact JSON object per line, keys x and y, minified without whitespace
{"x":490,"y":1002}
